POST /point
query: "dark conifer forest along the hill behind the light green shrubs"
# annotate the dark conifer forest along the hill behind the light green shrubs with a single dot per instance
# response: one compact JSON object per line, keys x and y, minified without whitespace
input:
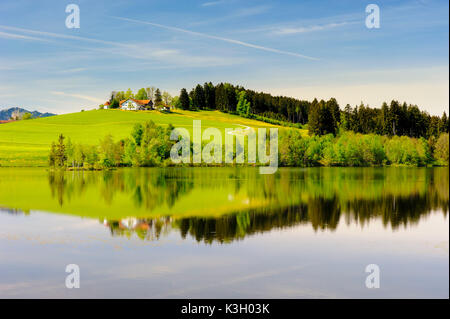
{"x":322,"y":117}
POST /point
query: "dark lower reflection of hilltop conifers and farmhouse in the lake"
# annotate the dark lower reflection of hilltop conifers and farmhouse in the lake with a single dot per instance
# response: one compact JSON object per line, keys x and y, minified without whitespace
{"x":321,"y":213}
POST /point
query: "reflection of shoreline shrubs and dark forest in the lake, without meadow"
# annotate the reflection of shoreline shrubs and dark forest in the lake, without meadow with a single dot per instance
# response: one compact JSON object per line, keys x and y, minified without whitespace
{"x":321,"y":197}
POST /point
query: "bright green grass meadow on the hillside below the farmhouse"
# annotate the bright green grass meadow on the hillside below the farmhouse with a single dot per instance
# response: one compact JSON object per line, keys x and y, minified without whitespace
{"x":26,"y":143}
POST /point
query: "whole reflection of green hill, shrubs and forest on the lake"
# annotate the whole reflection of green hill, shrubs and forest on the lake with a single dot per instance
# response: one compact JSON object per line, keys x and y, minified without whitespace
{"x":222,"y":205}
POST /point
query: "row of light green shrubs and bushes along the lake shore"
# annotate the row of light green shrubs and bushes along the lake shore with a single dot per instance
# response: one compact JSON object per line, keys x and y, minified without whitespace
{"x":149,"y":145}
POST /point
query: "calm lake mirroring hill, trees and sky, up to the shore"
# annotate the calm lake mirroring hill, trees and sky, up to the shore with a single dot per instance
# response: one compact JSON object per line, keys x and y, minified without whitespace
{"x":225,"y":233}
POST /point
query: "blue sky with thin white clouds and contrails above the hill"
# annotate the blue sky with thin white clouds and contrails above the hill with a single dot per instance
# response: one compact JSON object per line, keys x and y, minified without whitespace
{"x":303,"y":49}
